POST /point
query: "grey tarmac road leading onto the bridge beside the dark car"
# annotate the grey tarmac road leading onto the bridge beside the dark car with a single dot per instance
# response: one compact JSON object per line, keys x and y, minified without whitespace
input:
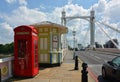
{"x":95,"y":60}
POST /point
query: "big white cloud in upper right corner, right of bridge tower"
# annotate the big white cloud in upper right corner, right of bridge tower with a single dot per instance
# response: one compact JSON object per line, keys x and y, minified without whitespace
{"x":107,"y":10}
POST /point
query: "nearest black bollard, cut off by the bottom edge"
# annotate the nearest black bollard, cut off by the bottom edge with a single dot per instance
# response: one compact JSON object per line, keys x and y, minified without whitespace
{"x":84,"y":72}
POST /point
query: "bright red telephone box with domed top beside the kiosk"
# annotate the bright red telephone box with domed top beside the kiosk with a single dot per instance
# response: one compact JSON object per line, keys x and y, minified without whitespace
{"x":25,"y":51}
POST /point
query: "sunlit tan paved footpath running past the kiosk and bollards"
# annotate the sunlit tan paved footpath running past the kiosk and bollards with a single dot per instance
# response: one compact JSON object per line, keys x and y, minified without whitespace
{"x":63,"y":73}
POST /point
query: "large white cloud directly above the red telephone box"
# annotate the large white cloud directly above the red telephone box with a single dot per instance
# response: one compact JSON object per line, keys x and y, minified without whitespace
{"x":24,"y":15}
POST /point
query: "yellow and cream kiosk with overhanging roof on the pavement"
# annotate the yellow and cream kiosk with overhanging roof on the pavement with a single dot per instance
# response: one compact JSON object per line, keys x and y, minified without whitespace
{"x":49,"y":35}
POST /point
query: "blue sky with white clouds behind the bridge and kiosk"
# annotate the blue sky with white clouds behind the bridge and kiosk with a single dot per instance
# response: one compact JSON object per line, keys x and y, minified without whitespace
{"x":25,"y":12}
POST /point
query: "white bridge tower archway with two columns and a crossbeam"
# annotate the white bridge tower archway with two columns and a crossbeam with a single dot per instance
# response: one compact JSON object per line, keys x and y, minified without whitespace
{"x":65,"y":19}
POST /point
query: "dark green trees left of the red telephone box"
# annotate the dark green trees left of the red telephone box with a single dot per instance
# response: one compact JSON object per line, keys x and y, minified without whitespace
{"x":7,"y":48}
